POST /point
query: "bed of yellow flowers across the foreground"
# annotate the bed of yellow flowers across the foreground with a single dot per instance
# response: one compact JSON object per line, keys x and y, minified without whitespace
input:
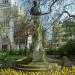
{"x":63,"y":71}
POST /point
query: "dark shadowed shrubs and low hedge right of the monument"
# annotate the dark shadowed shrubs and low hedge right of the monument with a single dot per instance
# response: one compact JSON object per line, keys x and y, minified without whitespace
{"x":67,"y":49}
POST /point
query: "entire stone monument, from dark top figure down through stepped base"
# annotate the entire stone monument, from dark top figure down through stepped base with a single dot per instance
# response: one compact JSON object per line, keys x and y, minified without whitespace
{"x":39,"y":61}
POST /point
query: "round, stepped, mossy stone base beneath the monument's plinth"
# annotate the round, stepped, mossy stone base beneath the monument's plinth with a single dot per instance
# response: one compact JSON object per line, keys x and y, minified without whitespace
{"x":38,"y":67}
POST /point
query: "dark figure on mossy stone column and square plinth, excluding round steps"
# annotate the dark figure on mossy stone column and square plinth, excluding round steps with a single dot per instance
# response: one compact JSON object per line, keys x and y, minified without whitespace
{"x":38,"y":52}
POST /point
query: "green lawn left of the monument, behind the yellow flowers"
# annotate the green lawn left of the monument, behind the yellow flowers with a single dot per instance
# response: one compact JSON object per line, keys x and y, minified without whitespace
{"x":11,"y":60}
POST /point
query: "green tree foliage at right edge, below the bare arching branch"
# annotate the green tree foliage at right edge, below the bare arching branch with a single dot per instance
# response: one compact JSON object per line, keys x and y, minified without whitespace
{"x":69,"y":28}
